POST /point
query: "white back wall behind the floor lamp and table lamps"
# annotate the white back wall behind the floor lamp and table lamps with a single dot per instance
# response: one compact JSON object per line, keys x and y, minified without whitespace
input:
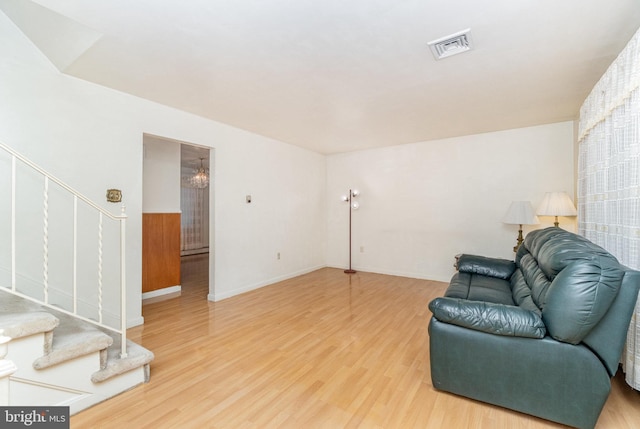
{"x":423,"y":203}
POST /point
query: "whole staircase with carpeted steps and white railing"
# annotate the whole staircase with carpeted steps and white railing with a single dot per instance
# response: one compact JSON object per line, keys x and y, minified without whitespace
{"x":62,"y":342}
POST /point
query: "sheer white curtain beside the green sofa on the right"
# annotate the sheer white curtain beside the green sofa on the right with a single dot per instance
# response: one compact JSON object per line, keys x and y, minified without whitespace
{"x":609,"y":175}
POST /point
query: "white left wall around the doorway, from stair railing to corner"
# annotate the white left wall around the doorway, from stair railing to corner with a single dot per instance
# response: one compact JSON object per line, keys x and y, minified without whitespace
{"x":91,"y":137}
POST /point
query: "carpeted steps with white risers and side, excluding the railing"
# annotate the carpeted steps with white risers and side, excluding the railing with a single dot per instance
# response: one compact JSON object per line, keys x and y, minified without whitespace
{"x":73,"y":364}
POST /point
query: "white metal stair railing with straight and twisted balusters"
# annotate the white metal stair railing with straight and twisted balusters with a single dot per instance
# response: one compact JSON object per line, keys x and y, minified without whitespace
{"x":102,"y":215}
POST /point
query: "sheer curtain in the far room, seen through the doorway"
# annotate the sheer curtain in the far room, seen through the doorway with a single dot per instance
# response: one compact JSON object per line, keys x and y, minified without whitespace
{"x":194,"y":204}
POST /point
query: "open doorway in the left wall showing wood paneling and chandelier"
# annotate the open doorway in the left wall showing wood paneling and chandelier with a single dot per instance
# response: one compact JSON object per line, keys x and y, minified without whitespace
{"x":170,"y":205}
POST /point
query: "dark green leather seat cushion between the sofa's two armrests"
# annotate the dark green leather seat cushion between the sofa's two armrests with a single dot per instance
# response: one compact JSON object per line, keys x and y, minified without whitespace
{"x":477,"y":287}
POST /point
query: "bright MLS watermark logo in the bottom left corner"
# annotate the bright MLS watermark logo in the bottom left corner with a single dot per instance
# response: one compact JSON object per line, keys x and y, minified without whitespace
{"x":34,"y":417}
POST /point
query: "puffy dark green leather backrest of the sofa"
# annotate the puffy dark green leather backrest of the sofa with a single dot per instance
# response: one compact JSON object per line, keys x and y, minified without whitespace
{"x":571,"y":280}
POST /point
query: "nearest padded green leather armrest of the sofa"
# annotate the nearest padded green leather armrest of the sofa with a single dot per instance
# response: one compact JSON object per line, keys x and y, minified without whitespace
{"x":499,"y":319}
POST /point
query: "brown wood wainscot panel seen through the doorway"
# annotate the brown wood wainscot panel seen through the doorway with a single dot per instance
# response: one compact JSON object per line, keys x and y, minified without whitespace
{"x":160,"y":251}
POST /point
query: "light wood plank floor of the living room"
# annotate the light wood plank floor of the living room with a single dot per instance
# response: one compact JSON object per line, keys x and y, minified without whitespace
{"x":324,"y":350}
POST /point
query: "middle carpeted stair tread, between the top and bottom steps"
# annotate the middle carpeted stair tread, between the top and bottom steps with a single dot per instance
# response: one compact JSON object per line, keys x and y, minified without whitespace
{"x":73,"y":339}
